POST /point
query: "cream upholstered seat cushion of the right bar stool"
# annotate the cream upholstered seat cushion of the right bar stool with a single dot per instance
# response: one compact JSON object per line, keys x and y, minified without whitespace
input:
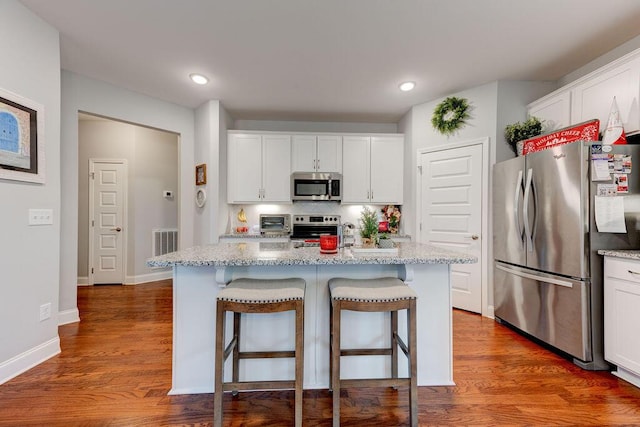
{"x":382,"y":289}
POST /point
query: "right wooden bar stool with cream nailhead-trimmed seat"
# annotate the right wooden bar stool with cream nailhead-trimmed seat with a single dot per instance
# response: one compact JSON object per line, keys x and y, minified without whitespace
{"x":374,"y":295}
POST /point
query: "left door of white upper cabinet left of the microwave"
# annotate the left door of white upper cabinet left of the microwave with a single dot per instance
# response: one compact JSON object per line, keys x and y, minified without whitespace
{"x":244,"y":169}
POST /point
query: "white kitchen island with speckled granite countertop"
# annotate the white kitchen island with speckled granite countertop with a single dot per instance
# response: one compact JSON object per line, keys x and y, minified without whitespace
{"x":199,"y":273}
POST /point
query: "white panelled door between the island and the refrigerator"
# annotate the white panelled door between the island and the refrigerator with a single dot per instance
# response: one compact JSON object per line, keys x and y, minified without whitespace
{"x":451,"y":214}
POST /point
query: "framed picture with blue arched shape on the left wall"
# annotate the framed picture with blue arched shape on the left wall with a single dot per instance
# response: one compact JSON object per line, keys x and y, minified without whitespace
{"x":21,"y":139}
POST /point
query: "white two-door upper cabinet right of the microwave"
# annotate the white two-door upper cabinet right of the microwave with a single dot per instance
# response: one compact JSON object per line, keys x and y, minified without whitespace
{"x":373,"y":169}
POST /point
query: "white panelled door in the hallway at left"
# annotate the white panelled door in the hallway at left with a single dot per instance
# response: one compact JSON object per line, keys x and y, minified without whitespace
{"x":107,"y":190}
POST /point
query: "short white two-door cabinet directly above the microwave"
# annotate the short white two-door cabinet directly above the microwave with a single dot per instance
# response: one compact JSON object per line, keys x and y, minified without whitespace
{"x":316,"y":153}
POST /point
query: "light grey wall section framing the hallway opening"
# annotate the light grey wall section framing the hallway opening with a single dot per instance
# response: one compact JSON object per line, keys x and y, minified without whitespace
{"x":80,"y":93}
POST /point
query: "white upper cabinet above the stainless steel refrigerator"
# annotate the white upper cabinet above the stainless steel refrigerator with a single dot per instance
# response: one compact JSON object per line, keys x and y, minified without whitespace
{"x":591,"y":96}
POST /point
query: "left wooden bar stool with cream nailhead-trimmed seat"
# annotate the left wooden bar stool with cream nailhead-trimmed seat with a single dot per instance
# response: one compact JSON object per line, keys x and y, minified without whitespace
{"x":258,"y":296}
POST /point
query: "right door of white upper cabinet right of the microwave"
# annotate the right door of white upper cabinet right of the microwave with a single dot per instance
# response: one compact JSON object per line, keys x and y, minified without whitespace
{"x":387,"y":160}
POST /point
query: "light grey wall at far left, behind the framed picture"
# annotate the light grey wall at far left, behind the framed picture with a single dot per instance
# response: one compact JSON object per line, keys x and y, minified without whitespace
{"x":29,"y":256}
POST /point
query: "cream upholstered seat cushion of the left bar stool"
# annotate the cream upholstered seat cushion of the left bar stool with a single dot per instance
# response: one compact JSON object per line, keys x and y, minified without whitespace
{"x":263,"y":291}
